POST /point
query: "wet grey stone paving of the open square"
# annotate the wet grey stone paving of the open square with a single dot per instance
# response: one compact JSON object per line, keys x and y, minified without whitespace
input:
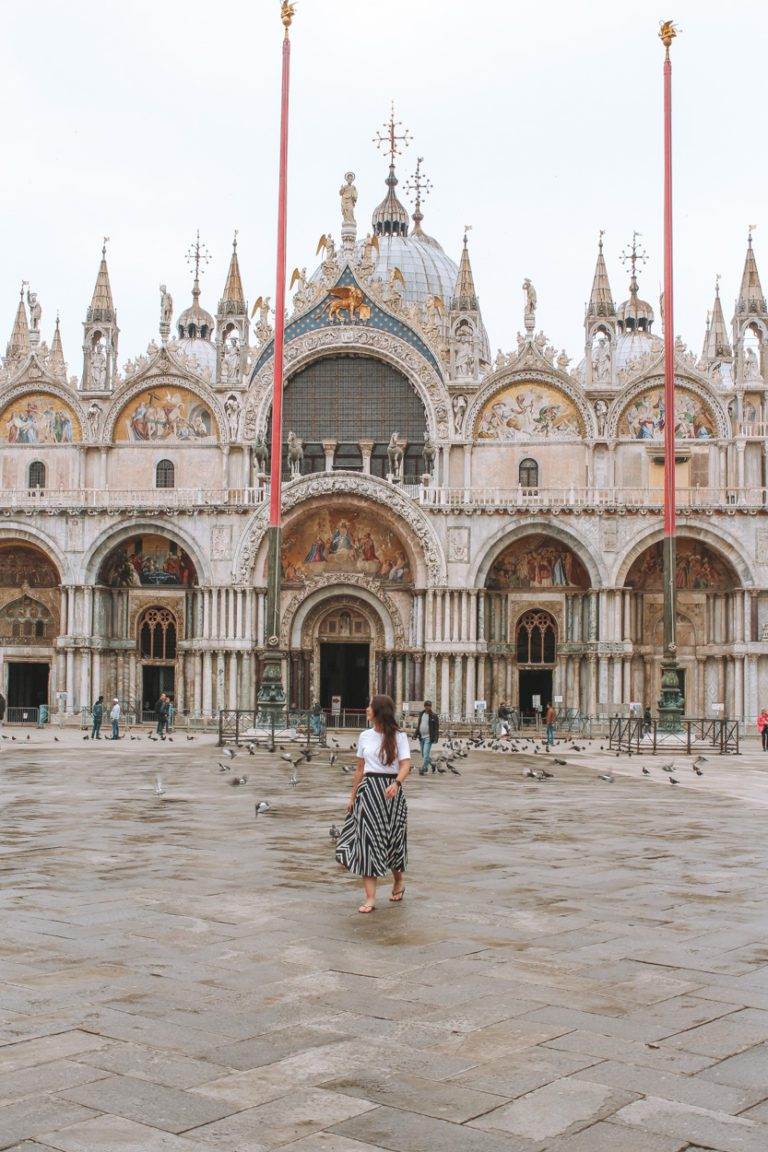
{"x":577,"y":966}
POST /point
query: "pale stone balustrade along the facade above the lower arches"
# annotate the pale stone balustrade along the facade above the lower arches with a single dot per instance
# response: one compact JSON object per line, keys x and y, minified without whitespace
{"x":550,"y":498}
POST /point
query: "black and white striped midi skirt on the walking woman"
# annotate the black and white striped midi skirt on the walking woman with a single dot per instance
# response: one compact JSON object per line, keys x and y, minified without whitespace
{"x":374,"y":840}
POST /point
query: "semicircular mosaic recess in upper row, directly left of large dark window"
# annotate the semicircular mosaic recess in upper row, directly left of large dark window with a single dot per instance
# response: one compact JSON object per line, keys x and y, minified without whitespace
{"x":181,"y":405}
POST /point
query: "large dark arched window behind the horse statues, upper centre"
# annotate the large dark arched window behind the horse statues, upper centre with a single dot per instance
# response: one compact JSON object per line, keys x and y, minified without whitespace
{"x":349,"y":399}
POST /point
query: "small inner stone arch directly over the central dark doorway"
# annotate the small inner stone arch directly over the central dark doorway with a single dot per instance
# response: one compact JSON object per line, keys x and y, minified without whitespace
{"x":308,"y":609}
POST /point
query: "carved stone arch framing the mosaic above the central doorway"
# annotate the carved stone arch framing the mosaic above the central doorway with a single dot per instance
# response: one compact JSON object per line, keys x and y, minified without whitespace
{"x":430,"y":569}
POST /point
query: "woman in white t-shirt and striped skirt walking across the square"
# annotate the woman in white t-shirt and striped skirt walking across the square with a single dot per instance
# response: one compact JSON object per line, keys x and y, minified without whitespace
{"x":375,"y":838}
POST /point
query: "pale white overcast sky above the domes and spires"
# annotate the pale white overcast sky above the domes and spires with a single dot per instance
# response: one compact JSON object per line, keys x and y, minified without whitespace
{"x":539,"y":124}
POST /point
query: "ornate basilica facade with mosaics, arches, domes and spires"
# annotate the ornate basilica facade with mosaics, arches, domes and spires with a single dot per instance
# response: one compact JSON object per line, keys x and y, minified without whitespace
{"x":459,"y":525}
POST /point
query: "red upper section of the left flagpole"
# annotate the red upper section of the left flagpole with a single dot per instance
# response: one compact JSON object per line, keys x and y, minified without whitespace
{"x":276,"y":456}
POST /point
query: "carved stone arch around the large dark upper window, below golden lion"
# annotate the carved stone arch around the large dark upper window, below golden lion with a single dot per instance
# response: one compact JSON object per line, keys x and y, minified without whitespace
{"x":332,"y":342}
